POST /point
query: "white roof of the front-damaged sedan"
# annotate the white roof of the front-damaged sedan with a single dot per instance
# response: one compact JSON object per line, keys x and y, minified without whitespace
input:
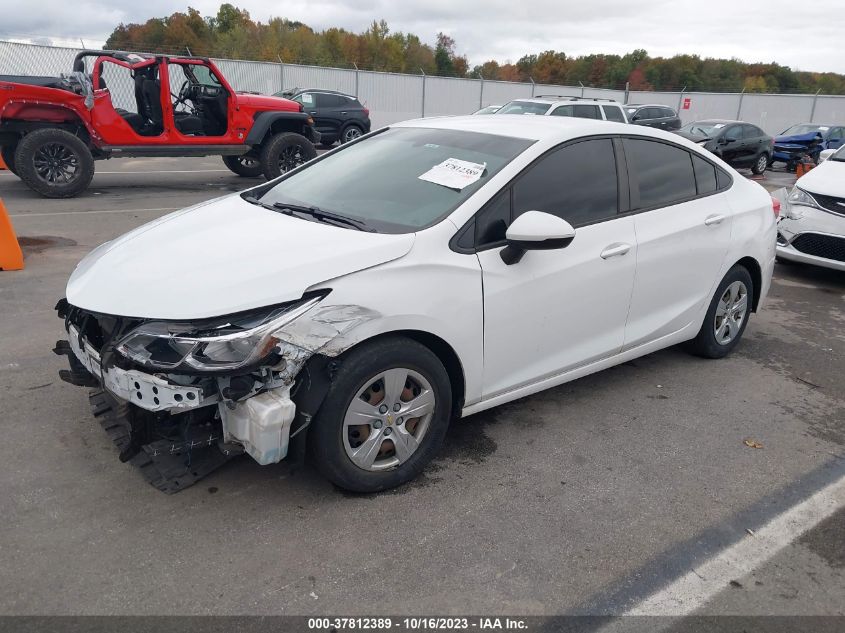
{"x":536,"y":128}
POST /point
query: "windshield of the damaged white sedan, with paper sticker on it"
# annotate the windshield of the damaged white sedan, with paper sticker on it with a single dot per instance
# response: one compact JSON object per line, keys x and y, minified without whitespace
{"x":376,"y":181}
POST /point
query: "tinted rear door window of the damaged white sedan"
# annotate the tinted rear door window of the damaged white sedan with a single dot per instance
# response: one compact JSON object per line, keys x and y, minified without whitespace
{"x":664,"y":173}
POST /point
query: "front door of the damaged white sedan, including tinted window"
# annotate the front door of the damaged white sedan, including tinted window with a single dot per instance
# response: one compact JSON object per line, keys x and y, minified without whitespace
{"x":557,"y":309}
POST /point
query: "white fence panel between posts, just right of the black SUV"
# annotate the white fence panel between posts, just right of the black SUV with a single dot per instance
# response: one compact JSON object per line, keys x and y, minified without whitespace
{"x":390,"y":97}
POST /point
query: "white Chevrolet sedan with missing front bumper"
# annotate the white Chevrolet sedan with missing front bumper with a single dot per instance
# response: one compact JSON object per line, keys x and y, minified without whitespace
{"x":429,"y":270}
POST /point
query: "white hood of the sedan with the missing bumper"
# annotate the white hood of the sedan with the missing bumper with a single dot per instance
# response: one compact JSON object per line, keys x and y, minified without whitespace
{"x":221,"y":257}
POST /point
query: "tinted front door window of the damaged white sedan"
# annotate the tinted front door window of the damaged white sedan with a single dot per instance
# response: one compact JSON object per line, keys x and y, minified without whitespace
{"x":577,"y":183}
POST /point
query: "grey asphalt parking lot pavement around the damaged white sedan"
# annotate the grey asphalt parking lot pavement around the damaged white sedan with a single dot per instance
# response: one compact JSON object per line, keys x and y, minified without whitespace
{"x":586,"y":498}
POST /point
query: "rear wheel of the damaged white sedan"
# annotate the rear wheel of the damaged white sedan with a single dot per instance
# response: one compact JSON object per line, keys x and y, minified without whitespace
{"x":727,"y":315}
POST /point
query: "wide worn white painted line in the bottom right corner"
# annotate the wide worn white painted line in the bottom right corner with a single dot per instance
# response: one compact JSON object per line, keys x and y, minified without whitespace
{"x":692,"y":590}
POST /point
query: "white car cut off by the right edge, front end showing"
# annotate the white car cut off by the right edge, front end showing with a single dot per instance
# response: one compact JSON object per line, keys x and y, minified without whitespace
{"x":812,"y":228}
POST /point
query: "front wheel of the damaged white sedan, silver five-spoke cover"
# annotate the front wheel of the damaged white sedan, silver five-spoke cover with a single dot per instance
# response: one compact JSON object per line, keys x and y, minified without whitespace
{"x":384,"y":417}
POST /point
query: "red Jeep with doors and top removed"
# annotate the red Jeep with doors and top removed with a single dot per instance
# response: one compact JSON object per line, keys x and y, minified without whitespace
{"x":53,"y":129}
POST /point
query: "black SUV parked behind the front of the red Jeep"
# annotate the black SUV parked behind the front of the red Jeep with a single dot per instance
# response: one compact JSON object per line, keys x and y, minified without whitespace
{"x":337,"y":116}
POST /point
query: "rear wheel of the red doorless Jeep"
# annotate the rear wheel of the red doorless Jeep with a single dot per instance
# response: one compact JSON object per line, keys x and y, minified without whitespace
{"x":54,"y":163}
